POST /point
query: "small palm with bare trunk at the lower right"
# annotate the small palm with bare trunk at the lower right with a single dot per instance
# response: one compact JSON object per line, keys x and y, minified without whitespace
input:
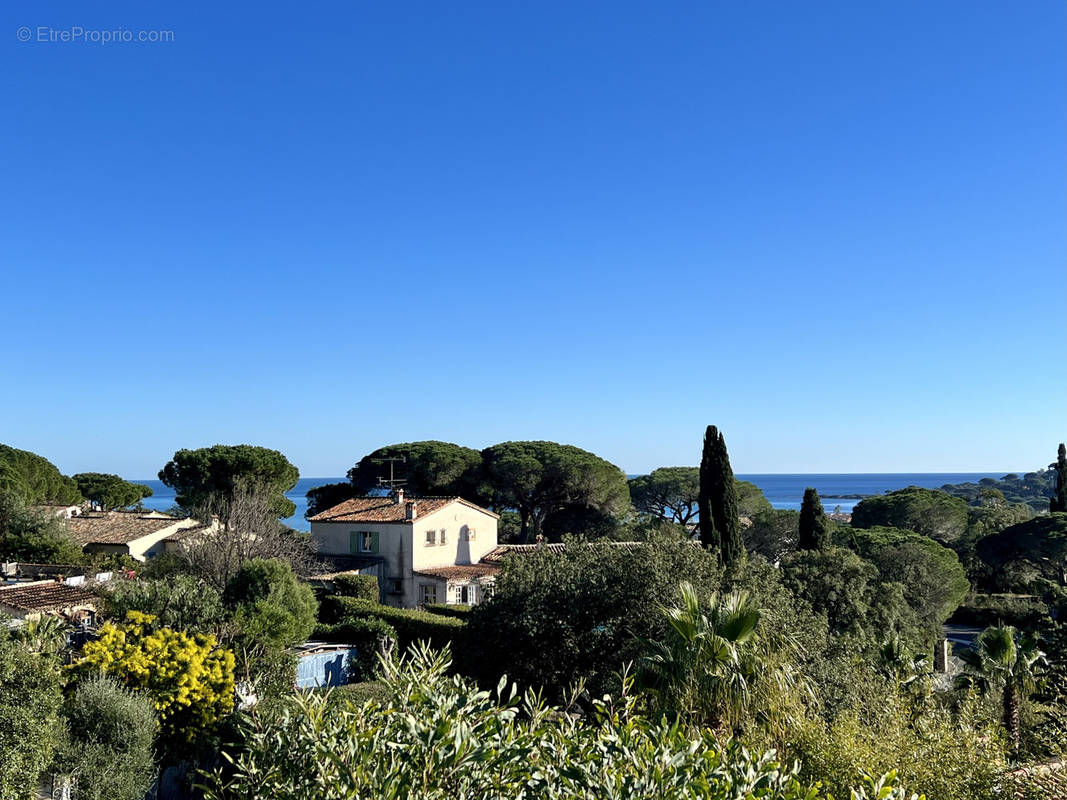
{"x":1004,"y":660}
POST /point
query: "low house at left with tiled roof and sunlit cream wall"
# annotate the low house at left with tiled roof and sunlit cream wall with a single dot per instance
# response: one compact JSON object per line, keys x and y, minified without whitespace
{"x":141,"y":536}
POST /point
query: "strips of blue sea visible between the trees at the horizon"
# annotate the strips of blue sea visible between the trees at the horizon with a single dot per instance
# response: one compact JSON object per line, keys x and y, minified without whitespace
{"x":783,"y":491}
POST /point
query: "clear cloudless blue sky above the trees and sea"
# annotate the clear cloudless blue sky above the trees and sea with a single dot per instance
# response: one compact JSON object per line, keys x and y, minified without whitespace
{"x":835,"y":230}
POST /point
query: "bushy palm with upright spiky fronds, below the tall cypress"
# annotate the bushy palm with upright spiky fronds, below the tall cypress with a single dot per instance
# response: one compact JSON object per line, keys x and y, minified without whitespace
{"x":712,"y":662}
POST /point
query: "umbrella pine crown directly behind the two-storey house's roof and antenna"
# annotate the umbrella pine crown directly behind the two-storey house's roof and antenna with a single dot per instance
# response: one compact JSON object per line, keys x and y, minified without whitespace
{"x":427,"y":469}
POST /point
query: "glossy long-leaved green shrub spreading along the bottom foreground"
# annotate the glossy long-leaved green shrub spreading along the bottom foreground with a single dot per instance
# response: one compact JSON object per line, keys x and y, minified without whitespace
{"x":437,"y":738}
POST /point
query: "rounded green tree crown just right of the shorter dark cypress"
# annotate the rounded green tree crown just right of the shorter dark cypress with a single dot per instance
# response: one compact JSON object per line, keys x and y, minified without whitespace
{"x":936,"y":515}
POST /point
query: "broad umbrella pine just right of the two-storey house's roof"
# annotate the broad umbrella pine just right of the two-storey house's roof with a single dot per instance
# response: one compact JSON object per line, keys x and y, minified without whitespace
{"x":542,"y":478}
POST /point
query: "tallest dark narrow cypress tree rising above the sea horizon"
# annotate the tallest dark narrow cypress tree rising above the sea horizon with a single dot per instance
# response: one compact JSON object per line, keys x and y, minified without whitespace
{"x":720,"y":521}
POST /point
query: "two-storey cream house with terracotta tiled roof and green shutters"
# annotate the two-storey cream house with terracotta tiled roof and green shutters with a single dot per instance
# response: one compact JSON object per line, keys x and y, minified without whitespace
{"x":429,"y":548}
